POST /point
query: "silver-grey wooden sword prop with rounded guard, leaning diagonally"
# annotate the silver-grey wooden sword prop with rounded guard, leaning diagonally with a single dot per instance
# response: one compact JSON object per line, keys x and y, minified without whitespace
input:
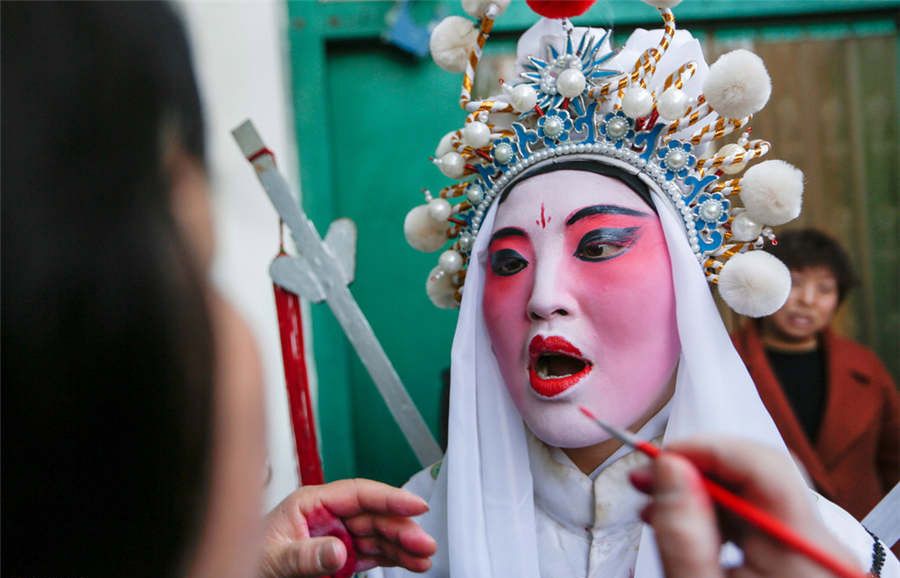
{"x":323,"y":273}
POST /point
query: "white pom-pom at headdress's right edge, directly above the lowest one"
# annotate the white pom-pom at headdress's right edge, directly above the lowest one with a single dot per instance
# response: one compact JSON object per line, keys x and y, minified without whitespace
{"x":772,"y":192}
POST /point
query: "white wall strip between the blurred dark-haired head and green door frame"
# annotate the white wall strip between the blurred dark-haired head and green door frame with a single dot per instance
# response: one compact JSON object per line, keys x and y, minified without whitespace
{"x":240,"y":55}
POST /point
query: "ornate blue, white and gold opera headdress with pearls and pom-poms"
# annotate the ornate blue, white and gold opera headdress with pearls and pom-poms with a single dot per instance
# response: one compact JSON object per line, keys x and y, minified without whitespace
{"x":651,"y":109}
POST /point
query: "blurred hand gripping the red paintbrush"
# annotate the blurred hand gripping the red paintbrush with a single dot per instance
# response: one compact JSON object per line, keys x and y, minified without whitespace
{"x":690,"y":530}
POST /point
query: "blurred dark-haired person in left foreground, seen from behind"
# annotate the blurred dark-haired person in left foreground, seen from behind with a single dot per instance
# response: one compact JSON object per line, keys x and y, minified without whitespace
{"x":118,"y":362}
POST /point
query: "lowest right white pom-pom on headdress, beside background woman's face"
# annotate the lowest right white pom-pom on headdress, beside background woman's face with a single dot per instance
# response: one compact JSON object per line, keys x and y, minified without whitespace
{"x":755,"y":283}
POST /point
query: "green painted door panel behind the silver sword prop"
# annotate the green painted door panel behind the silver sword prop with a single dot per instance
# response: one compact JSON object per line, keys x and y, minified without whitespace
{"x":381,"y":128}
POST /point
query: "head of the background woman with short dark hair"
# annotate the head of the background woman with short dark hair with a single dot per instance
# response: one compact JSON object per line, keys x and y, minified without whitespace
{"x":821,"y":277}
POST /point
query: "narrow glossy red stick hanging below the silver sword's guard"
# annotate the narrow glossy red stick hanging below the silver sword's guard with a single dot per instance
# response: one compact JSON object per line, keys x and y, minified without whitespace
{"x":302,"y":417}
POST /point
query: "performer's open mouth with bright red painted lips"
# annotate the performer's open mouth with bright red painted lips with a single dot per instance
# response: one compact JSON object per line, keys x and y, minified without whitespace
{"x":555,"y":365}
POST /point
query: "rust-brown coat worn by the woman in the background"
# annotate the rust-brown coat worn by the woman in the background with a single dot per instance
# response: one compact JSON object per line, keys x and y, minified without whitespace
{"x":856,"y":459}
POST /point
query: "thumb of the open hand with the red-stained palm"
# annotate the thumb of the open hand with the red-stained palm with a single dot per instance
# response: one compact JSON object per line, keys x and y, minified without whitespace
{"x":306,"y":558}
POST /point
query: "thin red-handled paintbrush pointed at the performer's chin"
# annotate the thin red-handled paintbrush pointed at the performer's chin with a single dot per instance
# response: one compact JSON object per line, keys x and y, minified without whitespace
{"x":742,"y":508}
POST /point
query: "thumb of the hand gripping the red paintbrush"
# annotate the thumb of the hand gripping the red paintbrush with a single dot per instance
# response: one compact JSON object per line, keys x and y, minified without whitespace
{"x":684,"y":520}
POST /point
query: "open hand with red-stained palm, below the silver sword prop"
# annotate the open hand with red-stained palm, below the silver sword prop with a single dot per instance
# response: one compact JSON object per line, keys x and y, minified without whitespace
{"x":342,"y":527}
